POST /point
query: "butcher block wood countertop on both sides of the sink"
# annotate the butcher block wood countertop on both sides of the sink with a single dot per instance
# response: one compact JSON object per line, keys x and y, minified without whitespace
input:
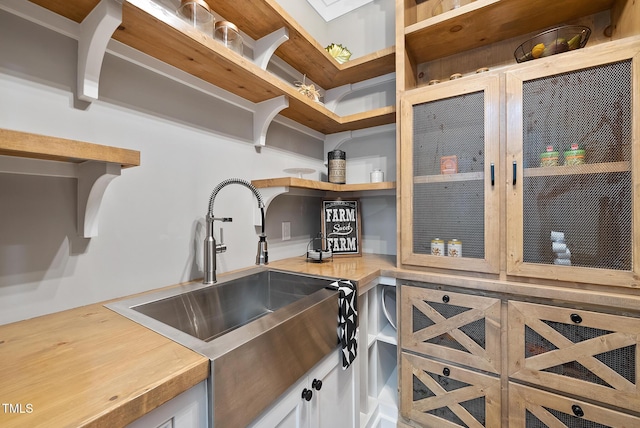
{"x":91,"y":367}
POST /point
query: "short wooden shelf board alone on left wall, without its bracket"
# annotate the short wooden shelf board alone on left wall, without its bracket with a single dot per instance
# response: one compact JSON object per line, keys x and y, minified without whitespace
{"x":35,"y":146}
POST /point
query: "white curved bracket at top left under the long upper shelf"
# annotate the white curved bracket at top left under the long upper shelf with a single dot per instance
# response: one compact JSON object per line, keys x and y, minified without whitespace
{"x":95,"y":32}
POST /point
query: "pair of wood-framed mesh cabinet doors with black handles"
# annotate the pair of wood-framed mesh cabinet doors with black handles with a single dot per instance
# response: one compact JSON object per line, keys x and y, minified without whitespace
{"x":572,"y":219}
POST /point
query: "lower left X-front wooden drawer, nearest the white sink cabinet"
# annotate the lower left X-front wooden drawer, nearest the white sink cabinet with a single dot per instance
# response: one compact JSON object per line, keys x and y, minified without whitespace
{"x":439,"y":395}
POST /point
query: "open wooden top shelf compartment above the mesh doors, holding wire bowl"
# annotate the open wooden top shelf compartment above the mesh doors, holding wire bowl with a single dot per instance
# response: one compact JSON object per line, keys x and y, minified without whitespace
{"x":488,"y":31}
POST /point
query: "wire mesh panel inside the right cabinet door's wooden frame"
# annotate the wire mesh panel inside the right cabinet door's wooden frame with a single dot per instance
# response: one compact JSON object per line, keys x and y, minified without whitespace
{"x":590,"y":107}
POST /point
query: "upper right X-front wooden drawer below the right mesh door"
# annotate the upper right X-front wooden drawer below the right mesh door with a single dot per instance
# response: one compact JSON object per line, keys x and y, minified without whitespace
{"x":588,"y":354}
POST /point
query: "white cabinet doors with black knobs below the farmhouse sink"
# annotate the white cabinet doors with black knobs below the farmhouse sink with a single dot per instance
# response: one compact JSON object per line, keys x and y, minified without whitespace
{"x":325,"y":397}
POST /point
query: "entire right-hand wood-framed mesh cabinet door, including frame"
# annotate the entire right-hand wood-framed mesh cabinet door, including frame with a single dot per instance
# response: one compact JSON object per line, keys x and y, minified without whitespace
{"x":571,"y":205}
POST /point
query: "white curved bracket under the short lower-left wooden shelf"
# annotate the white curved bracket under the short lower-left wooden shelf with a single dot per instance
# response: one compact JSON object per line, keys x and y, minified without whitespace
{"x":93,"y":179}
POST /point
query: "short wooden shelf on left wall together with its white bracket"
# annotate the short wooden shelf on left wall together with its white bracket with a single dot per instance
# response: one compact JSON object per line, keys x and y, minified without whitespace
{"x":94,"y":166}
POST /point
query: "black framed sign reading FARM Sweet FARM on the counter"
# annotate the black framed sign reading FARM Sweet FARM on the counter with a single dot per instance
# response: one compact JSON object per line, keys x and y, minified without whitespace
{"x":341,"y":226}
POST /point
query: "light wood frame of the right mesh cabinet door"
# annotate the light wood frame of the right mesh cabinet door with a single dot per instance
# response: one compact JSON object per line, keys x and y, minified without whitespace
{"x":515,"y":77}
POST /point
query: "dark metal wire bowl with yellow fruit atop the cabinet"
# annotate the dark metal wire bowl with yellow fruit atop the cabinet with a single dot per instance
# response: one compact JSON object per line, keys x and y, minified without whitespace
{"x":553,"y":41}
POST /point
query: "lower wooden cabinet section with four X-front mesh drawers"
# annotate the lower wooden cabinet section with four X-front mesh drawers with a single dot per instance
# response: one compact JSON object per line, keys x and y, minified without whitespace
{"x":472,"y":357}
